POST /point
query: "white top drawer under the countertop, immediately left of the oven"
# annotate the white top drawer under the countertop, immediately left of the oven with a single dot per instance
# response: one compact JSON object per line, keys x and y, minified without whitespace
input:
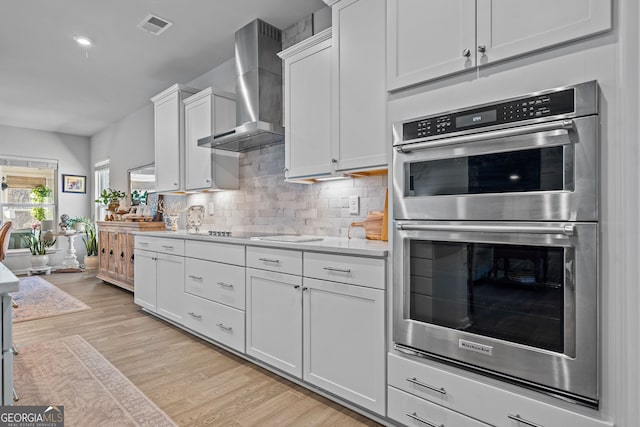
{"x":353,"y":270}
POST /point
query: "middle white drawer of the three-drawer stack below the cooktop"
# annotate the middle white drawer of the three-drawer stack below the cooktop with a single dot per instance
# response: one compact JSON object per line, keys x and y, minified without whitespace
{"x":214,"y":281}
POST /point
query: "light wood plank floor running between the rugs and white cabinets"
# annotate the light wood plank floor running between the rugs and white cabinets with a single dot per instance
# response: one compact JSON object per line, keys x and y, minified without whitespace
{"x":194,"y":382}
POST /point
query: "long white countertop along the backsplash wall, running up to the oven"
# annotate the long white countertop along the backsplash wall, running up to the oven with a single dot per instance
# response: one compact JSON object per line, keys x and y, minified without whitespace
{"x":363,"y":247}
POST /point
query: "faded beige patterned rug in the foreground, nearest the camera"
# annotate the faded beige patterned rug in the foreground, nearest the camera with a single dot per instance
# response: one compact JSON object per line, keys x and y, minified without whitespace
{"x":69,"y":372}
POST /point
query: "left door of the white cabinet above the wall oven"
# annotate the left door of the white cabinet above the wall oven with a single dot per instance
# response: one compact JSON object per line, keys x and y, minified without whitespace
{"x":429,"y":39}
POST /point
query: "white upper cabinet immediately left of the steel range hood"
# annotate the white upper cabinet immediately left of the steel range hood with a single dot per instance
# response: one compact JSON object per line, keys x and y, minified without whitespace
{"x":209,"y":112}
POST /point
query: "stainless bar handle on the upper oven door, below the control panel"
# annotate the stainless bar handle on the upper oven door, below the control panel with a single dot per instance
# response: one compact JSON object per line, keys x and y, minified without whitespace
{"x":565,"y":125}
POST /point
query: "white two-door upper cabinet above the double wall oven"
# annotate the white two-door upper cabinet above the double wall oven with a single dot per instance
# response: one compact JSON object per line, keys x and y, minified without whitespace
{"x":427,"y":40}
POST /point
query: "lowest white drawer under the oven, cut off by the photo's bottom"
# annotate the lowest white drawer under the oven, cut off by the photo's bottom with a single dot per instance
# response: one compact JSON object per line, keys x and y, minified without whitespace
{"x":412,"y":411}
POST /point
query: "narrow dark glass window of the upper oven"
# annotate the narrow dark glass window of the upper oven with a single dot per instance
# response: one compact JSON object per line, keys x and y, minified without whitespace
{"x":540,"y":169}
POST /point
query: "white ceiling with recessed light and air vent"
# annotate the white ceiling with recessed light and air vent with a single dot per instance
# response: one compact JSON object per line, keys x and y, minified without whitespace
{"x":47,"y":82}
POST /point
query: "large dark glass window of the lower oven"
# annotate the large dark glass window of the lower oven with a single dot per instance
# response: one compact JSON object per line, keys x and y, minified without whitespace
{"x":509,"y":292}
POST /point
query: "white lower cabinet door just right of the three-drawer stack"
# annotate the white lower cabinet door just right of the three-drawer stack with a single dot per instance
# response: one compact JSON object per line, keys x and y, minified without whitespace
{"x":274,"y":319}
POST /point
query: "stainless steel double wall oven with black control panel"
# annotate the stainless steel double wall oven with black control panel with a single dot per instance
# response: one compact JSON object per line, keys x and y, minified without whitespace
{"x":496,"y":264}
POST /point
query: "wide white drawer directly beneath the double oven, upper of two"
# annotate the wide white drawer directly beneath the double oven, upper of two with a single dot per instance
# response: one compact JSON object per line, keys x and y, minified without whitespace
{"x":478,"y":400}
